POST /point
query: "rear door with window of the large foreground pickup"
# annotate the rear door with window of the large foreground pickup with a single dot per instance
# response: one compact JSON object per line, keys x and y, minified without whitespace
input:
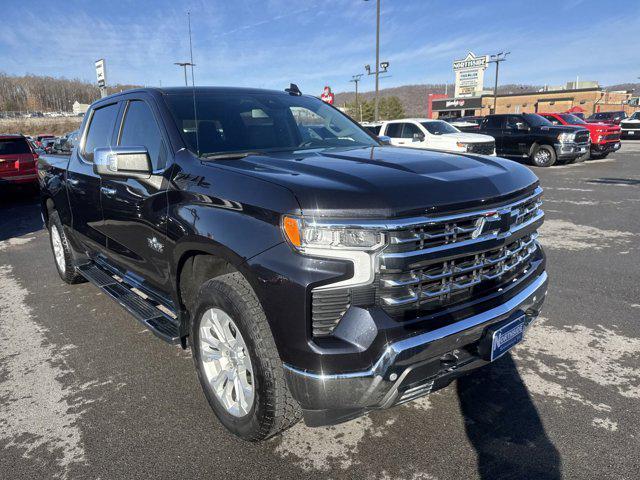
{"x":83,"y":185}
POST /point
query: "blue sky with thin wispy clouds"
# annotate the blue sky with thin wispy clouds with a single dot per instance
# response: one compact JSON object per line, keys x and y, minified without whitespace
{"x":314,"y":43}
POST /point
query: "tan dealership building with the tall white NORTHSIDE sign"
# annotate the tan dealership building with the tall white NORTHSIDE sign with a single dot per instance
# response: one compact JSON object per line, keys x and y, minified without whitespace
{"x":470,"y":98}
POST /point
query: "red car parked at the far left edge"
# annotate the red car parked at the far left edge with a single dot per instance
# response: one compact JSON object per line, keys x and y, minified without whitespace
{"x":17,"y":161}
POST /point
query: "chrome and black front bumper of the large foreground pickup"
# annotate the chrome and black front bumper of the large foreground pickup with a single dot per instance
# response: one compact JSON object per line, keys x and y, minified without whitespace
{"x":408,"y":368}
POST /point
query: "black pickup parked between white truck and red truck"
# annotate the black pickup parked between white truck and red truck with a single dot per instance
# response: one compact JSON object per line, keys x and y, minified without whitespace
{"x":531,"y":136}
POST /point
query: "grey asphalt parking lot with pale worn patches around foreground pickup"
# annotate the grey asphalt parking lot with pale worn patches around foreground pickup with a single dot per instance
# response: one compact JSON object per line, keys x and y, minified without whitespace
{"x":85,"y":392}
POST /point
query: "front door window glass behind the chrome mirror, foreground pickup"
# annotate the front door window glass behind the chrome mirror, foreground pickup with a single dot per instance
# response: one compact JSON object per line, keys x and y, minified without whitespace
{"x":140,"y":129}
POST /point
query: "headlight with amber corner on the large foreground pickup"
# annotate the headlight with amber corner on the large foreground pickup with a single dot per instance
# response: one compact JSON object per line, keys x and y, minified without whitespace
{"x":304,"y":234}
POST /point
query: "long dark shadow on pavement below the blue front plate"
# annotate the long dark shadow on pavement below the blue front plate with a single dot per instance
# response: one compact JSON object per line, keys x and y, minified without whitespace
{"x":503,"y":425}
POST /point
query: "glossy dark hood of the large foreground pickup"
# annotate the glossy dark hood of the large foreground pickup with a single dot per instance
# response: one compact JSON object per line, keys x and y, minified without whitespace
{"x":387,"y":182}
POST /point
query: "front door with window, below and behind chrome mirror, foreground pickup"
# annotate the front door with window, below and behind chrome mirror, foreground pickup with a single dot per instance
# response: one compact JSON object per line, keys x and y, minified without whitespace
{"x":135,"y":209}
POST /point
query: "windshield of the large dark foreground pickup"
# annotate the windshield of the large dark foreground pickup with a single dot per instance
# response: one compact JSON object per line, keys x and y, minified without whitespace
{"x":262,"y":122}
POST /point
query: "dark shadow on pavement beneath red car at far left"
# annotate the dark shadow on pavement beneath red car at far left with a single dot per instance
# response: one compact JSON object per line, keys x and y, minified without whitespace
{"x":19,"y":212}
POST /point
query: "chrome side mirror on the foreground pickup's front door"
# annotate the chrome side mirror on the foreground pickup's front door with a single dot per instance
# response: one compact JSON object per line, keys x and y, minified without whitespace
{"x":123,"y":162}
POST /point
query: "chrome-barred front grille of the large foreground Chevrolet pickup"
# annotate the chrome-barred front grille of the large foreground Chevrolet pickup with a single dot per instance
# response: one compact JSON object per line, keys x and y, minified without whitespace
{"x":452,"y":259}
